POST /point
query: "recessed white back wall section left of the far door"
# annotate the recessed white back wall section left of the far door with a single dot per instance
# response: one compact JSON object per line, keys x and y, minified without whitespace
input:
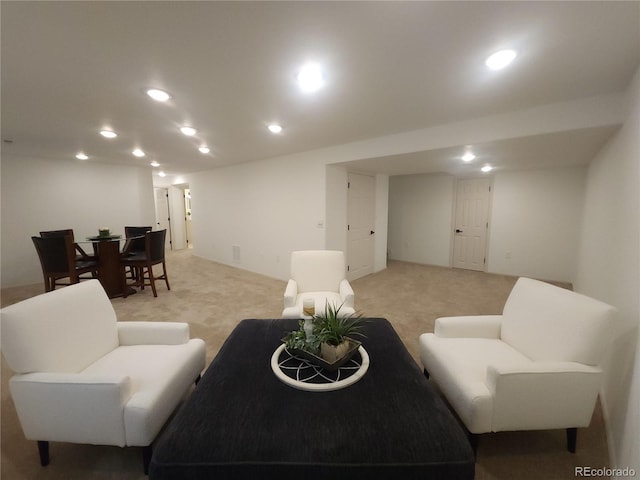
{"x":420,"y":218}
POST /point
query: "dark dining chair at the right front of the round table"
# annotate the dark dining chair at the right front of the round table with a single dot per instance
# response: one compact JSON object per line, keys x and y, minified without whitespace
{"x":143,"y":262}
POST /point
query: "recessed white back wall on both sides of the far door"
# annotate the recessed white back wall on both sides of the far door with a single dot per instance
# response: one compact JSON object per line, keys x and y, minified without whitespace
{"x":535,"y":218}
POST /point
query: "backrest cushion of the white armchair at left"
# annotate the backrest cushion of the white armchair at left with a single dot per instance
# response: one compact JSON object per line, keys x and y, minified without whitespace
{"x":61,"y":331}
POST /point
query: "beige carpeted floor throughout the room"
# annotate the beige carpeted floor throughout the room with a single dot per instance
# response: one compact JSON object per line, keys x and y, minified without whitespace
{"x":213,"y":298}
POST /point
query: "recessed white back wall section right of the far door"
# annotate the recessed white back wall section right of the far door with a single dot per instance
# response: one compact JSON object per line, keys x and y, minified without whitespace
{"x":535,"y":220}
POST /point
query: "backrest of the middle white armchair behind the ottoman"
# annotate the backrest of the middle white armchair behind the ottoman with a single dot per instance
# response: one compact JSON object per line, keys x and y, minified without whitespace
{"x":318,"y":270}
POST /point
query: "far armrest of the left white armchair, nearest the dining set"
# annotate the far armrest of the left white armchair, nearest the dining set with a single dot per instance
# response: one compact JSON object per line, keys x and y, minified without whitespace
{"x":153,"y":333}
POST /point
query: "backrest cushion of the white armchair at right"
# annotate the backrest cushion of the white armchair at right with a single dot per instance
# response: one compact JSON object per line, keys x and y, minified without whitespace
{"x":549,"y":323}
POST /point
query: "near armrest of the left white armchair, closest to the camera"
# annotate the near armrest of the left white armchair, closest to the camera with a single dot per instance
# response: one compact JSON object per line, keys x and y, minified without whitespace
{"x":72,"y":407}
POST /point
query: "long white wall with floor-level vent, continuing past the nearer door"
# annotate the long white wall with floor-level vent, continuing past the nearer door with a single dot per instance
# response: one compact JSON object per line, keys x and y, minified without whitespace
{"x":270,"y":208}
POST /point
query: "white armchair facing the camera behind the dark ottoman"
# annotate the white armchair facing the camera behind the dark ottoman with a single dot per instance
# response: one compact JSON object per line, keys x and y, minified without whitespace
{"x":319,"y":275}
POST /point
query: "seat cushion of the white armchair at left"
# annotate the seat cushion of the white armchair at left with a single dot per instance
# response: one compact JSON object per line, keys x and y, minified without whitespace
{"x":160,"y":375}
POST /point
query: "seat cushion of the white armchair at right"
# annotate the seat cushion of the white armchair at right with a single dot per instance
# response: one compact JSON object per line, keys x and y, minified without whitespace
{"x":463,"y":381}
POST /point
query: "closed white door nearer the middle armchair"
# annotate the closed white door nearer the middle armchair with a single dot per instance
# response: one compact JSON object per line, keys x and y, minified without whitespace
{"x":360,"y":228}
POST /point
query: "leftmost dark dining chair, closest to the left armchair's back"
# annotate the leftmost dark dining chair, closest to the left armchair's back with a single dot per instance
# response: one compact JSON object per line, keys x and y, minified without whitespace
{"x":58,"y":261}
